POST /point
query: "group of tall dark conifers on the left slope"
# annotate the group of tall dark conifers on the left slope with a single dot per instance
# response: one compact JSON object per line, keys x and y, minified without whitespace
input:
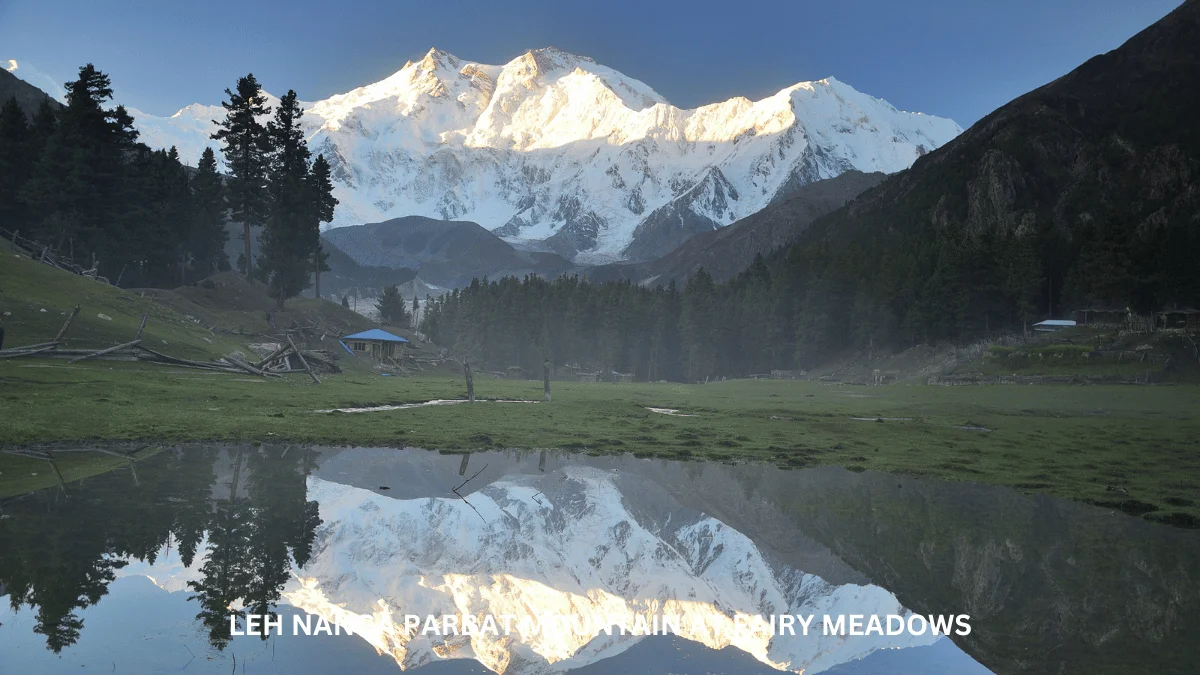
{"x":76,"y":178}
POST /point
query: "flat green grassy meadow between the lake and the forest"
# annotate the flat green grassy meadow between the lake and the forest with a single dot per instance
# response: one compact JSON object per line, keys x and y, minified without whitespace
{"x":1135,"y":449}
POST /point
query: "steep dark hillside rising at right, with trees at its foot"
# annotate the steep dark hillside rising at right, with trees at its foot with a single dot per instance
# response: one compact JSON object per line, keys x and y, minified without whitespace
{"x":1084,"y":193}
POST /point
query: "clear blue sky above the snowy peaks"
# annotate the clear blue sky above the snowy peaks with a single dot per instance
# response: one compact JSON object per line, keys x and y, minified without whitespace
{"x":959,"y":59}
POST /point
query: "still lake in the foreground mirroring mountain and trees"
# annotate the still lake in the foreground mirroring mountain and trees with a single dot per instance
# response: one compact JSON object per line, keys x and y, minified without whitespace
{"x":139,"y":568}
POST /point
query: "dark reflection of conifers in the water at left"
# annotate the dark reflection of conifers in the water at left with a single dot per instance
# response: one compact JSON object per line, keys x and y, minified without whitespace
{"x":59,"y":549}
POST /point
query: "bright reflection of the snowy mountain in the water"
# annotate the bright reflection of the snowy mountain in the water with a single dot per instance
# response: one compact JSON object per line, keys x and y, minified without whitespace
{"x":565,"y":543}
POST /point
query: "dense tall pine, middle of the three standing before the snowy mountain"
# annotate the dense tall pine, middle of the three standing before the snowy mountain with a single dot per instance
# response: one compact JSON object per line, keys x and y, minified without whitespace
{"x":292,"y":236}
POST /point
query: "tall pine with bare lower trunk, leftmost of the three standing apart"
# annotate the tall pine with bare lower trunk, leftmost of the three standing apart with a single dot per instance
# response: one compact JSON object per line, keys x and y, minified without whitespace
{"x":245,"y":145}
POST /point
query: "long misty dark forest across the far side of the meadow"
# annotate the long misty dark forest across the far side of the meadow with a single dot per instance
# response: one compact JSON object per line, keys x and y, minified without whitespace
{"x":821,"y":300}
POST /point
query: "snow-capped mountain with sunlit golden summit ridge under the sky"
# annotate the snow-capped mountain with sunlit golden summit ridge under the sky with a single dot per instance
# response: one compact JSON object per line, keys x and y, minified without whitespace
{"x":556,"y":151}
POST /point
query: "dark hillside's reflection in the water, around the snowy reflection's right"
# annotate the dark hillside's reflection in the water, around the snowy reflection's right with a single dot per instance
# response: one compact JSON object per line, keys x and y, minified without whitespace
{"x":1052,"y":586}
